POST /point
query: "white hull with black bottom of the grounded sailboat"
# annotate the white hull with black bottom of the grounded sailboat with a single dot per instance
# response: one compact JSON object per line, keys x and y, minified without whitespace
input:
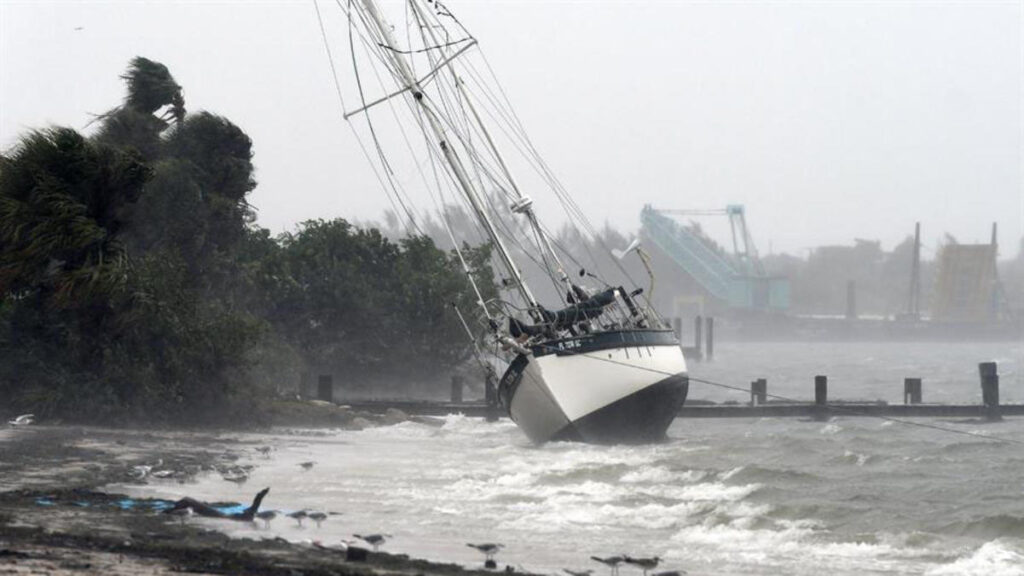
{"x":623,"y":388}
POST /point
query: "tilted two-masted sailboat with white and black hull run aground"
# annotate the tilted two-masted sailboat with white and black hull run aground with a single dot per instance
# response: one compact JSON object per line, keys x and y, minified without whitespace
{"x":600,"y":366}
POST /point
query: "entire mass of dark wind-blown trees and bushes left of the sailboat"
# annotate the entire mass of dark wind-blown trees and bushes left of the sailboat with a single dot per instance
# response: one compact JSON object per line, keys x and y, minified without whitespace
{"x":133,"y":282}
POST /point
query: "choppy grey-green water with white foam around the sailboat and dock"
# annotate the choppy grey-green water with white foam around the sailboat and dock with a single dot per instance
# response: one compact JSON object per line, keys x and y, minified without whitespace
{"x":724,"y":497}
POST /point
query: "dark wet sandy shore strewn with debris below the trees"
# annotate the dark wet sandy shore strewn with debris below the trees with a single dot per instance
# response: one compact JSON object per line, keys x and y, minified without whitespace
{"x":55,"y":519}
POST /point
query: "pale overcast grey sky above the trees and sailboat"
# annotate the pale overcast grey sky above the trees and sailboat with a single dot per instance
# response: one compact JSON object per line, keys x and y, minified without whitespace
{"x":829,"y":120}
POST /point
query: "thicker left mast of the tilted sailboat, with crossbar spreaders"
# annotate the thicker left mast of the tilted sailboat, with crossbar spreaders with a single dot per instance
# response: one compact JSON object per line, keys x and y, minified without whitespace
{"x":409,"y":81}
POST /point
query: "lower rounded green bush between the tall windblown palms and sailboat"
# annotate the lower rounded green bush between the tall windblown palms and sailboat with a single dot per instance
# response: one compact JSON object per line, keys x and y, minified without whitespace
{"x":356,"y":303}
